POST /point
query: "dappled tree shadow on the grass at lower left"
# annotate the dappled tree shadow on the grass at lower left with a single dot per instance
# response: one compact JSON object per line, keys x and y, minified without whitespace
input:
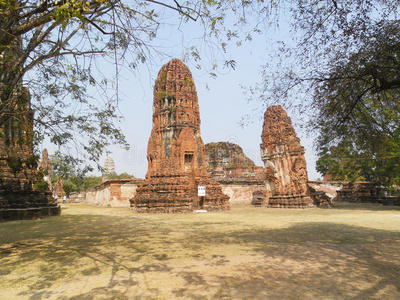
{"x":82,"y":246}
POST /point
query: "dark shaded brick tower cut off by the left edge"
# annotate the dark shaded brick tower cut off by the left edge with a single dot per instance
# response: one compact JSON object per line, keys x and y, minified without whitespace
{"x":21,"y":195}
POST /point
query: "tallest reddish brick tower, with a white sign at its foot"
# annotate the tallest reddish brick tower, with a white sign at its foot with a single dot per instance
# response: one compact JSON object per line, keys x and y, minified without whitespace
{"x":175,"y":153}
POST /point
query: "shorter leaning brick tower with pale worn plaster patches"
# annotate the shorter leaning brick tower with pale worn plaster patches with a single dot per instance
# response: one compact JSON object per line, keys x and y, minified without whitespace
{"x":284,"y":162}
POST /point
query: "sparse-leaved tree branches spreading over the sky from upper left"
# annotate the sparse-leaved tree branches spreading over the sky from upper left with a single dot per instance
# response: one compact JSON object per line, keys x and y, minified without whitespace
{"x":56,"y":48}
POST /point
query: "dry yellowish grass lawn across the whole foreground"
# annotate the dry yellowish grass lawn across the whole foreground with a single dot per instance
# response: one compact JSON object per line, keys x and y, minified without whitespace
{"x":348,"y":252}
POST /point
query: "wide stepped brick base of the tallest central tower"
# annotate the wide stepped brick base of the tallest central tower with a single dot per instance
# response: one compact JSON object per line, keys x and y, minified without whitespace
{"x":178,"y":194}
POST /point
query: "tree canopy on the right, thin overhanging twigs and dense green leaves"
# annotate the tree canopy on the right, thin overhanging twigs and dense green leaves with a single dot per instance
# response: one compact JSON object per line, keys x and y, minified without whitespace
{"x":342,"y":70}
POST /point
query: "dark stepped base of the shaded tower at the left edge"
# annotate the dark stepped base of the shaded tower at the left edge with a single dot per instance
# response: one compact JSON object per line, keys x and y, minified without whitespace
{"x":27,"y":205}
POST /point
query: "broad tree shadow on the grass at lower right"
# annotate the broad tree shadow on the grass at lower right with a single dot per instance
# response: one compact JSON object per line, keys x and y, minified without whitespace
{"x":307,"y":261}
